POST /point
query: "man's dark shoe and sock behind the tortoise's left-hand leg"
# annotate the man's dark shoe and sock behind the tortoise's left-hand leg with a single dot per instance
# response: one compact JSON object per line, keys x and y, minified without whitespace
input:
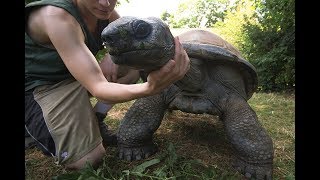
{"x":109,"y":138}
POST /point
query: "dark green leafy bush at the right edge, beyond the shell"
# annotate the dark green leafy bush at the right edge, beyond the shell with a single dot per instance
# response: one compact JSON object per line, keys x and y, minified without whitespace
{"x":270,"y":45}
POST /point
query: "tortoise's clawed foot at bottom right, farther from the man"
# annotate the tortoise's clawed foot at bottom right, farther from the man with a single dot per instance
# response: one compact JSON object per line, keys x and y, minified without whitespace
{"x":254,"y":171}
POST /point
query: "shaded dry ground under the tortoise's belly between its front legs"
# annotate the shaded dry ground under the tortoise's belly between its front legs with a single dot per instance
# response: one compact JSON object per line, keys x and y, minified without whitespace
{"x":197,"y":136}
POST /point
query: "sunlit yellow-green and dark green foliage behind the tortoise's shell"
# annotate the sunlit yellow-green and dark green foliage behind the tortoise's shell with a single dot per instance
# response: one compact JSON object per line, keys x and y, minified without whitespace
{"x":265,"y":34}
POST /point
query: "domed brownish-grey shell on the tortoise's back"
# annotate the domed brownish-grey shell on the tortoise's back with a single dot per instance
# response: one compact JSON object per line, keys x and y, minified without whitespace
{"x":202,"y":44}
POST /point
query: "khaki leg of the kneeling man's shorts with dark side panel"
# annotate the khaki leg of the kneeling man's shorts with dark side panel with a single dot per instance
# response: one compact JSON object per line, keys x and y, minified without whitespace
{"x":69,"y":118}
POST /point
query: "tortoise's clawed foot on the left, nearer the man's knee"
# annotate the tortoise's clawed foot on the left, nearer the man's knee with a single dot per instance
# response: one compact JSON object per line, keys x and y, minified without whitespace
{"x":136,"y":153}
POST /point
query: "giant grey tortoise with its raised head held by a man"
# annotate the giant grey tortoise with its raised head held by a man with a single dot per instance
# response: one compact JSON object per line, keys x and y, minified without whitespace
{"x":220,"y":82}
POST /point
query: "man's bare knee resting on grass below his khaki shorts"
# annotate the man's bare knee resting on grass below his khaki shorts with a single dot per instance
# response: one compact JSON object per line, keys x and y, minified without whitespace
{"x":94,"y":157}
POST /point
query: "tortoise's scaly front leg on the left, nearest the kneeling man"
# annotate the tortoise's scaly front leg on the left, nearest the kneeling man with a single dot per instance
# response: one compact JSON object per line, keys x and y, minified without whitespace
{"x":138,"y":126}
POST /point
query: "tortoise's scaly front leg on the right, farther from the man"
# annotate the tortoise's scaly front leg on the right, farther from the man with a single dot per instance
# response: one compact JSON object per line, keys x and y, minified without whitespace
{"x":253,"y":146}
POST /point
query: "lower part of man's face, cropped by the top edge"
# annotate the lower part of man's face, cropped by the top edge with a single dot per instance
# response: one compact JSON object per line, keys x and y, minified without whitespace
{"x":101,"y":8}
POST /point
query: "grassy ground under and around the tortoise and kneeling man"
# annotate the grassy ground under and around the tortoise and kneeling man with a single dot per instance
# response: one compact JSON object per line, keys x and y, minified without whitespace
{"x":190,"y":147}
